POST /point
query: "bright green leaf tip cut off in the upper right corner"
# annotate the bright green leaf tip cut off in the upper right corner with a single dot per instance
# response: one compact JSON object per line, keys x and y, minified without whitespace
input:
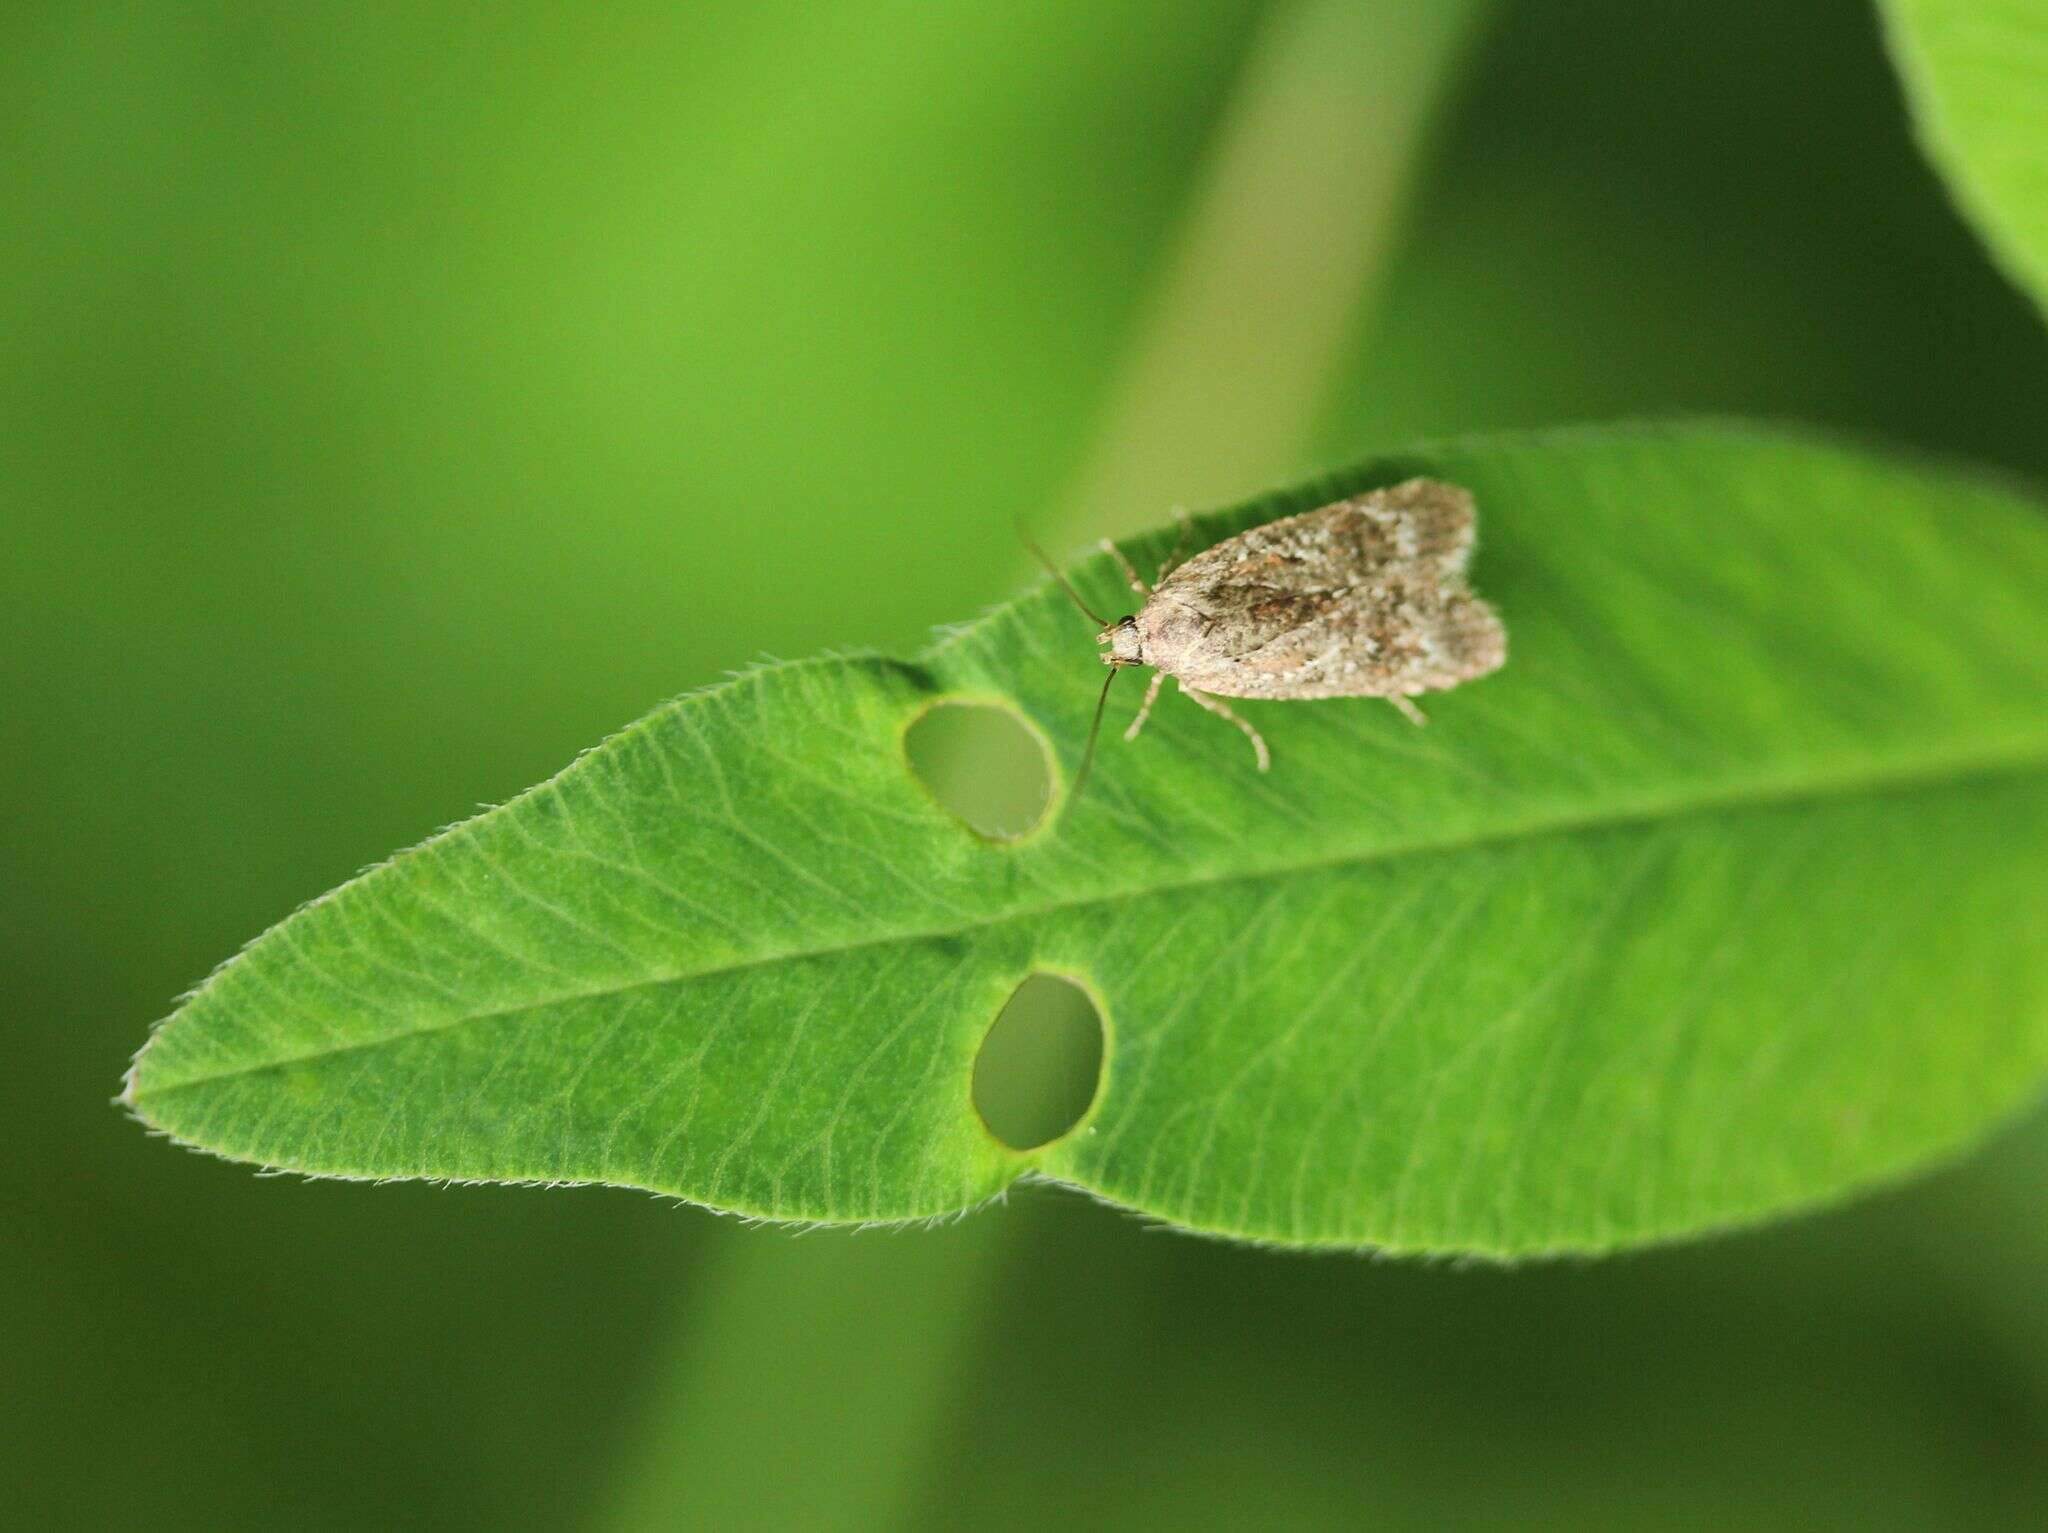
{"x":1977,"y":77}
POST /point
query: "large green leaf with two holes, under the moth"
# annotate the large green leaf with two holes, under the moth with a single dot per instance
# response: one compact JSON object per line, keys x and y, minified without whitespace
{"x":1723,"y":897}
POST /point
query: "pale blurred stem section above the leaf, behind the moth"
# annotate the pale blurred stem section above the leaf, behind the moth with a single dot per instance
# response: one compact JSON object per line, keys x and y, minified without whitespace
{"x":1281,"y":259}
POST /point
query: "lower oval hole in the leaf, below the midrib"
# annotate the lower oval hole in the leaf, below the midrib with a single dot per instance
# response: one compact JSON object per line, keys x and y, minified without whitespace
{"x":1041,"y":1063}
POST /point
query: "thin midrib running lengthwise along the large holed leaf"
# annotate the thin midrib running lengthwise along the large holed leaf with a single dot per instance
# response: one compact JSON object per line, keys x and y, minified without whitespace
{"x":1904,"y":779}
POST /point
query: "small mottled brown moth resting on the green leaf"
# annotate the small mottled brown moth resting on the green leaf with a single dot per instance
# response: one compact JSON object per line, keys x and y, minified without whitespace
{"x":1361,"y":599}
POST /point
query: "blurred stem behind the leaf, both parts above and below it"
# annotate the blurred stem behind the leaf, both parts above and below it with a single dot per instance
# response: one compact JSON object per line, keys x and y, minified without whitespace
{"x":808,"y":1383}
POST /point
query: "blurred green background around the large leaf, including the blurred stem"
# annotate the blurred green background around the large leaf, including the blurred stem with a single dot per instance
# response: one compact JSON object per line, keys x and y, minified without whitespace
{"x":398,"y":398}
